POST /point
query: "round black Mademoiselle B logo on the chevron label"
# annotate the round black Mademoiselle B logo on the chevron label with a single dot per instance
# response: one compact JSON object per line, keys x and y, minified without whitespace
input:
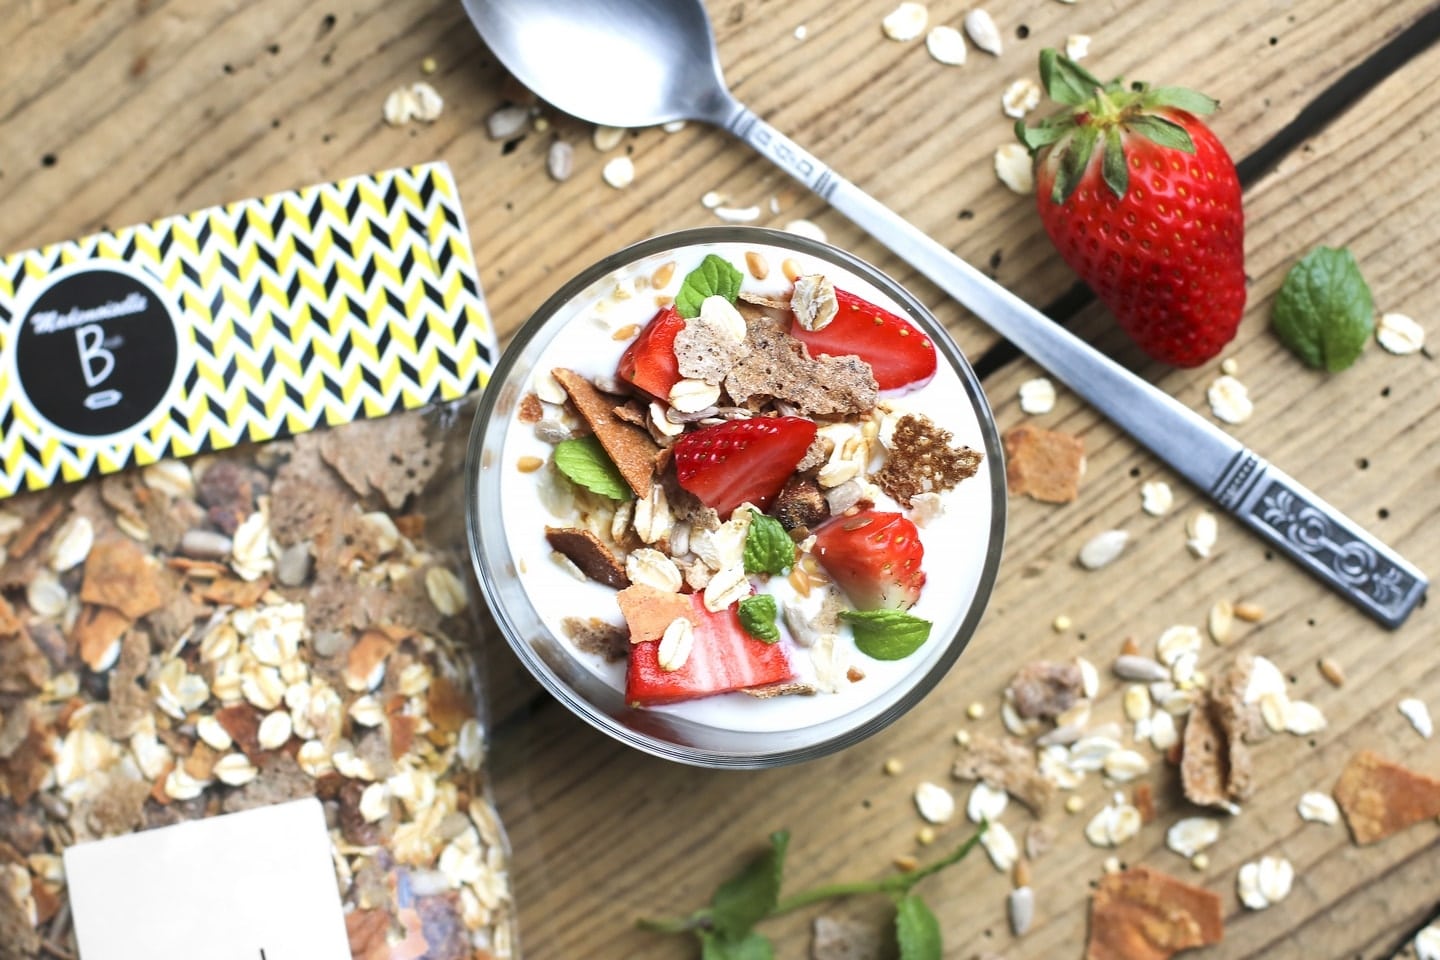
{"x":97,"y":352}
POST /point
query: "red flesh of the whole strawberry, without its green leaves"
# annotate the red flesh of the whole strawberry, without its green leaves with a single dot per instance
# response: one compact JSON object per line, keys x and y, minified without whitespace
{"x":1169,"y":258}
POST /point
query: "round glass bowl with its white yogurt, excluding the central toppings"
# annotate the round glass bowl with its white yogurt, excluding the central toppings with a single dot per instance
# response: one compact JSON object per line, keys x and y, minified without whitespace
{"x":529,"y":594}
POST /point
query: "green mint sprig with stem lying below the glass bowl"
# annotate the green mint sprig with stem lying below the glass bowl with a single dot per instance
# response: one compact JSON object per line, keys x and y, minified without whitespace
{"x":726,"y":928}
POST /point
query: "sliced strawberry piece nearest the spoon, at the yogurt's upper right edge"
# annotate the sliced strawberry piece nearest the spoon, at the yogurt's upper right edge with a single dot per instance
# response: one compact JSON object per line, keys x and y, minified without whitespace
{"x":898,"y":353}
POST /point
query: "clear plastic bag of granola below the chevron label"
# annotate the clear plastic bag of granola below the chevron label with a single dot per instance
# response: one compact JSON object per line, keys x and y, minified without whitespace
{"x":267,"y":624}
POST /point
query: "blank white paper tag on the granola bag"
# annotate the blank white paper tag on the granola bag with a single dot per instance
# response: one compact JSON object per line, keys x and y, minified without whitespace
{"x":254,"y":886}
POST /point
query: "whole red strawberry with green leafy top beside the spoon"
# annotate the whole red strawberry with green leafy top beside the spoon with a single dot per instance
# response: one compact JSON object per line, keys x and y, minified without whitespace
{"x":1143,"y":202}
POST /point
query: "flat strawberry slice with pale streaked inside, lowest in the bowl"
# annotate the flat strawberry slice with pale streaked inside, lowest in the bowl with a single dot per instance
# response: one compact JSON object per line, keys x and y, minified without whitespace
{"x":724,"y":658}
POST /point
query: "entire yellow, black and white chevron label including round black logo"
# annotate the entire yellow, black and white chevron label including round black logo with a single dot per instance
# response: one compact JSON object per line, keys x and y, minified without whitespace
{"x":243,"y":323}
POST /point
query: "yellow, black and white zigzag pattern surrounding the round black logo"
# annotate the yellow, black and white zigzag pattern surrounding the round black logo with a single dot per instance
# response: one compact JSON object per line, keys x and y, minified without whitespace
{"x":318,"y":307}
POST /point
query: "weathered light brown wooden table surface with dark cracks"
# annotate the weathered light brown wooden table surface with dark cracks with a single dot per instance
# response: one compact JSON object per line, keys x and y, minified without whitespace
{"x":126,"y":112}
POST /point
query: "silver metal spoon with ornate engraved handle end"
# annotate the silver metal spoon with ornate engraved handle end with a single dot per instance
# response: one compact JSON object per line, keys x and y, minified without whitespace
{"x":646,"y":63}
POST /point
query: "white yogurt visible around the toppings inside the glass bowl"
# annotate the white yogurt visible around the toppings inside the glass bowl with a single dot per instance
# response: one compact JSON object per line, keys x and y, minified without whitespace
{"x":582,"y":338}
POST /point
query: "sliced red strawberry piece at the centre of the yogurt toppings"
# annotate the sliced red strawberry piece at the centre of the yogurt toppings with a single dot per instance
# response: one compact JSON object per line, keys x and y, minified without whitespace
{"x":738,"y":461}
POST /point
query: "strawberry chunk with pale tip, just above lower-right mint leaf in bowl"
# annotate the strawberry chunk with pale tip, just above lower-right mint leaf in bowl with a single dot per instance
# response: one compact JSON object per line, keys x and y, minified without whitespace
{"x":875,"y":558}
